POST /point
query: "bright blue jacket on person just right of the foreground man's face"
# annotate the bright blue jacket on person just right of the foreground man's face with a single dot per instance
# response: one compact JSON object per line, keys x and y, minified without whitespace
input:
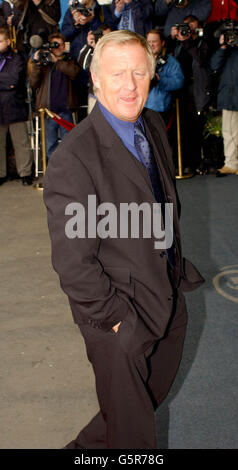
{"x":171,"y":78}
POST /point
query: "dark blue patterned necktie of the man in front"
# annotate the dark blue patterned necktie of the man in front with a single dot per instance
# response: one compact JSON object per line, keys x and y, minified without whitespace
{"x":147,"y":157}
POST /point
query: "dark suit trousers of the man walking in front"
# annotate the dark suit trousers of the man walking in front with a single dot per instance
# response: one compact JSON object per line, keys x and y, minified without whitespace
{"x":130,"y":385}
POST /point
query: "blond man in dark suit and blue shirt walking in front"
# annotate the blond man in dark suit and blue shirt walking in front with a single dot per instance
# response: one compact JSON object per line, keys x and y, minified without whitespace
{"x":125,"y":292}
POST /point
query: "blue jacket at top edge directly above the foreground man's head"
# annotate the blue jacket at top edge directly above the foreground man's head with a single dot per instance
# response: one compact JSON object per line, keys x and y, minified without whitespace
{"x":142,"y":14}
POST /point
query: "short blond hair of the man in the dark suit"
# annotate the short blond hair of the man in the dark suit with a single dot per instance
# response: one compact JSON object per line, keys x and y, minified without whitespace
{"x":122,"y":37}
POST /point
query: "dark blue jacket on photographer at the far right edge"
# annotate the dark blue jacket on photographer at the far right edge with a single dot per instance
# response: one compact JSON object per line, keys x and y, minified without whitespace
{"x":226,"y":61}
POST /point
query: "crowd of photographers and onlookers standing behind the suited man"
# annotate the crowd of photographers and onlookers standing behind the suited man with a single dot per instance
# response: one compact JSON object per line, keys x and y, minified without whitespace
{"x":194,"y":42}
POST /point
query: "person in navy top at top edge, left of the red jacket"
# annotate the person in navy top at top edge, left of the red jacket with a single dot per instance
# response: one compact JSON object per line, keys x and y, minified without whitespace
{"x":176,"y":10}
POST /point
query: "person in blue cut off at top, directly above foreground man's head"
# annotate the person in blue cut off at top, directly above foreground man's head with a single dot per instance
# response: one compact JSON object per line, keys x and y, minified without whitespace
{"x":133,"y":15}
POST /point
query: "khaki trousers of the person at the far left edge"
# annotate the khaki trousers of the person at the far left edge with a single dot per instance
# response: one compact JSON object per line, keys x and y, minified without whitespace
{"x":21,"y":144}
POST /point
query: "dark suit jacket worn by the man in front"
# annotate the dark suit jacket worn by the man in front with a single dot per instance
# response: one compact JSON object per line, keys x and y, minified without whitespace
{"x":106,"y":280}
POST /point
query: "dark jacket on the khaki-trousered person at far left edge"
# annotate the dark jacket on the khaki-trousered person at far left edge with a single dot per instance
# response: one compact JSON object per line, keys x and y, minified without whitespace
{"x":13,"y":107}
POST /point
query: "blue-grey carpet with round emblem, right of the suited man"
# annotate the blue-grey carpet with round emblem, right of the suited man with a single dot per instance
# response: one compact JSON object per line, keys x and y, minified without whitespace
{"x":201,"y":411}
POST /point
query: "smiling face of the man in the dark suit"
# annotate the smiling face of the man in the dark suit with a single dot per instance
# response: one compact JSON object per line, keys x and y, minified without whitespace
{"x":123,"y":80}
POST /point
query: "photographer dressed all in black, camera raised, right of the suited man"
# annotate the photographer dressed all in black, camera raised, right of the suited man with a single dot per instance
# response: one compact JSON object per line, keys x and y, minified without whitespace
{"x":193,"y":53}
